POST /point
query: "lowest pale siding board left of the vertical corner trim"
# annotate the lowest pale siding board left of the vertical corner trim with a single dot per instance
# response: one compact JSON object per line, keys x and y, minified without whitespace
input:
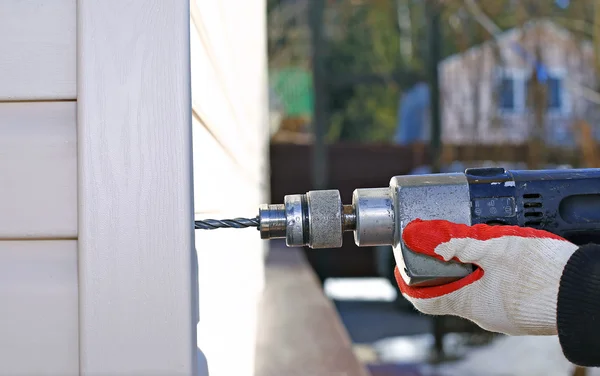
{"x":39,"y":314}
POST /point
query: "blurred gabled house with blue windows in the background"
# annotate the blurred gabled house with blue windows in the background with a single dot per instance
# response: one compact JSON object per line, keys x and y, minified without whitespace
{"x":484,"y":90}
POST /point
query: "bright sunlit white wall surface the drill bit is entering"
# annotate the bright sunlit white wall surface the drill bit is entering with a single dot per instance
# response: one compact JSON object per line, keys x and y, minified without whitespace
{"x":230,"y":134}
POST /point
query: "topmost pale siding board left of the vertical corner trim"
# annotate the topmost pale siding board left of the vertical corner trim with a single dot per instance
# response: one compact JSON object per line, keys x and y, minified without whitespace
{"x":37,"y":40}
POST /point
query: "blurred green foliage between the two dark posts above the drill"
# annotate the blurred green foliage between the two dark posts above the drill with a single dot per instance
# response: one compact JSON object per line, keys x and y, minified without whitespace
{"x":369,"y":43}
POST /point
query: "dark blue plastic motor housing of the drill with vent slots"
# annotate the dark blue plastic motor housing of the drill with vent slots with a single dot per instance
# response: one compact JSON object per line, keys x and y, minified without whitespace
{"x":564,"y":202}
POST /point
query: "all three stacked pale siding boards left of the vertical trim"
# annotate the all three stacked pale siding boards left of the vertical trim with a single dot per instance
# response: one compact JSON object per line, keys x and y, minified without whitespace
{"x":38,"y":189}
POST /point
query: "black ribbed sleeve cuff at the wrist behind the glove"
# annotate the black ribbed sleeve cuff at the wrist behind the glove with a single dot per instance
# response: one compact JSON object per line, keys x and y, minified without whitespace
{"x":578,"y":307}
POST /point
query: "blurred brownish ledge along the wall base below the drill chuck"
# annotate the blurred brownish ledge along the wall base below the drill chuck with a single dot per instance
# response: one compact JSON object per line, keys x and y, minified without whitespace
{"x":299,"y":331}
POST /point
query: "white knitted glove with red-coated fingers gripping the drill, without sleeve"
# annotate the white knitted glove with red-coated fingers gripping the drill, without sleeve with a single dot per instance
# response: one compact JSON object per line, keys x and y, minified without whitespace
{"x":514,"y":289}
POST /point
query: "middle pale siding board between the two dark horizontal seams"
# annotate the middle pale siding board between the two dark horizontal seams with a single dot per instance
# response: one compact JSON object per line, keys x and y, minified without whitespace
{"x":38,"y":165}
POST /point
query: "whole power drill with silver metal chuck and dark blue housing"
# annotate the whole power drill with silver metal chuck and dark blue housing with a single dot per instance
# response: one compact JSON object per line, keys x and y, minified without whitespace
{"x":565,"y":202}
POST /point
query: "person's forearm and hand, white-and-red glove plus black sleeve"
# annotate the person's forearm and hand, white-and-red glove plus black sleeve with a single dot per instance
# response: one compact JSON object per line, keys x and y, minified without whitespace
{"x":527,"y":282}
